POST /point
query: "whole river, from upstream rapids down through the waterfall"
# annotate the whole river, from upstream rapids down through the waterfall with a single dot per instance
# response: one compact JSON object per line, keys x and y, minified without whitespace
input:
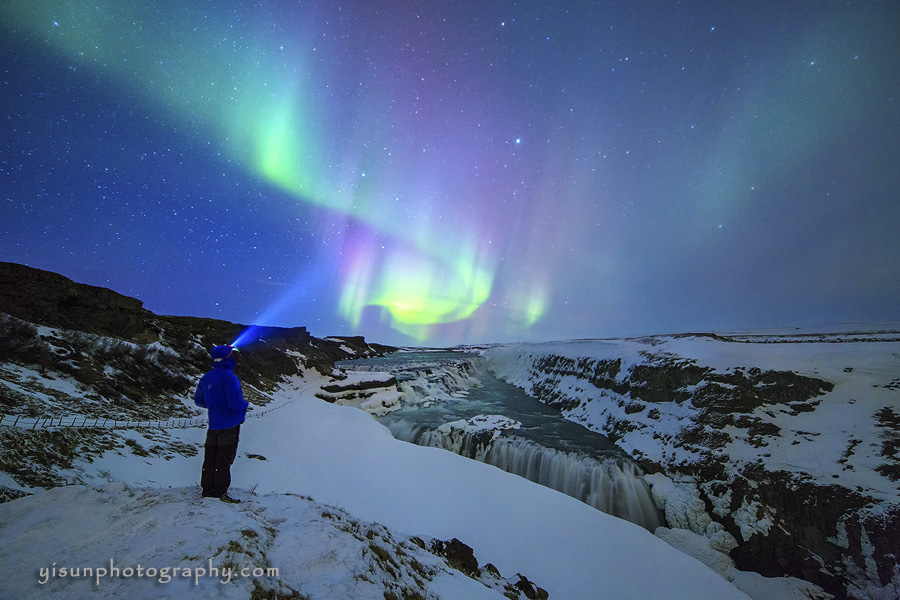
{"x":446,"y":398}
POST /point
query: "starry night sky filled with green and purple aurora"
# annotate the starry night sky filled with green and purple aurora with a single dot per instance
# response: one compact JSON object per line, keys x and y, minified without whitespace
{"x":437,"y":172}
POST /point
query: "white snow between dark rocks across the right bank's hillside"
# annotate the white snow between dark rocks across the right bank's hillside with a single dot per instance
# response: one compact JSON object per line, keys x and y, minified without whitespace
{"x":832,"y":439}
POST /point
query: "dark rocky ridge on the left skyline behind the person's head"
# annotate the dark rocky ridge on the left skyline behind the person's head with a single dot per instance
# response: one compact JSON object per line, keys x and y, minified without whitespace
{"x":43,"y":298}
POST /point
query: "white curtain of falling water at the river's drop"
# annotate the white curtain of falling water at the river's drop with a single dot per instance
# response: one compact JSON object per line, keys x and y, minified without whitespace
{"x":611,"y":486}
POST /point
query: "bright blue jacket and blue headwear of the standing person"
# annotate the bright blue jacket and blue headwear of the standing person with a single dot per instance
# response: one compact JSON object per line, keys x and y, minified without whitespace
{"x":219,"y":391}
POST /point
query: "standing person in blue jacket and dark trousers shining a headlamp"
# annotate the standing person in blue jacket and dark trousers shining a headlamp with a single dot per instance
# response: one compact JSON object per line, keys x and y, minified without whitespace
{"x":219,"y":392}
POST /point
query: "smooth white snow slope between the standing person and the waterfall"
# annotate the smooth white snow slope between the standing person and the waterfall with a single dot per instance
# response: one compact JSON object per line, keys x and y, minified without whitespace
{"x":341,"y":456}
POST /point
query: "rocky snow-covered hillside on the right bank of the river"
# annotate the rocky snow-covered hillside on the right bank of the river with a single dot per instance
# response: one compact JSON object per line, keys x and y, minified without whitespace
{"x":786,"y":442}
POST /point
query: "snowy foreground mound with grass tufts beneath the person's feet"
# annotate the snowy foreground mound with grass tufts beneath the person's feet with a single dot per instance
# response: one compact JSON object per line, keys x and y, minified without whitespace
{"x":313,"y":548}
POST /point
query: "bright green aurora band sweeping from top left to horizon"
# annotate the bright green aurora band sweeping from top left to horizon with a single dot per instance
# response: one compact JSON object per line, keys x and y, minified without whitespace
{"x":261,"y":113}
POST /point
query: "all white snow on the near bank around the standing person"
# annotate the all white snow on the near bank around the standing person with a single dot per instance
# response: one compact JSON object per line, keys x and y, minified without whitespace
{"x":337,"y":456}
